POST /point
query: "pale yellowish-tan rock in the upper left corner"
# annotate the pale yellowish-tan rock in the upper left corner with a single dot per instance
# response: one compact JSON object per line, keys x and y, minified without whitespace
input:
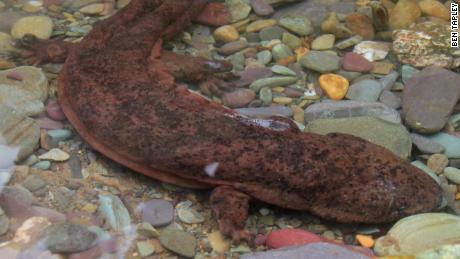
{"x":39,"y":26}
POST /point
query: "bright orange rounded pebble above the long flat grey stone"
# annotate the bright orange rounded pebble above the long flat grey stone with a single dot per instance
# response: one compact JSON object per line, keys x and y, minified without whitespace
{"x":334,"y":86}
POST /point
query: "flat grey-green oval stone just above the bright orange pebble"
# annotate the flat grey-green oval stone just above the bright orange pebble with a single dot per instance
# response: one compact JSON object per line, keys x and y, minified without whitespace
{"x":321,"y":62}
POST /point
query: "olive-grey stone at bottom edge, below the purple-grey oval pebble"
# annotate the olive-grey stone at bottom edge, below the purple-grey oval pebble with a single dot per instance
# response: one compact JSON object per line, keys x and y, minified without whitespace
{"x":178,"y":241}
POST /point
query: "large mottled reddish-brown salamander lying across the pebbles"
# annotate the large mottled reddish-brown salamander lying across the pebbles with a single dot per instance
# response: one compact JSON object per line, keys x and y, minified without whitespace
{"x":121,"y":95}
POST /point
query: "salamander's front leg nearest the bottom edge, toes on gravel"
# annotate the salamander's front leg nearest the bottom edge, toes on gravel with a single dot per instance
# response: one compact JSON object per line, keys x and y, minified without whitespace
{"x":231,"y":209}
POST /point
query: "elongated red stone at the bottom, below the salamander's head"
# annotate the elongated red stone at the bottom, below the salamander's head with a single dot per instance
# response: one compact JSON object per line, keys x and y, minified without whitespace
{"x":291,"y":237}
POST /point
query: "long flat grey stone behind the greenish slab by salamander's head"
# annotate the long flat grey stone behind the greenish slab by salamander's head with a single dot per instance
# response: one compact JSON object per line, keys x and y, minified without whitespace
{"x":344,"y":109}
